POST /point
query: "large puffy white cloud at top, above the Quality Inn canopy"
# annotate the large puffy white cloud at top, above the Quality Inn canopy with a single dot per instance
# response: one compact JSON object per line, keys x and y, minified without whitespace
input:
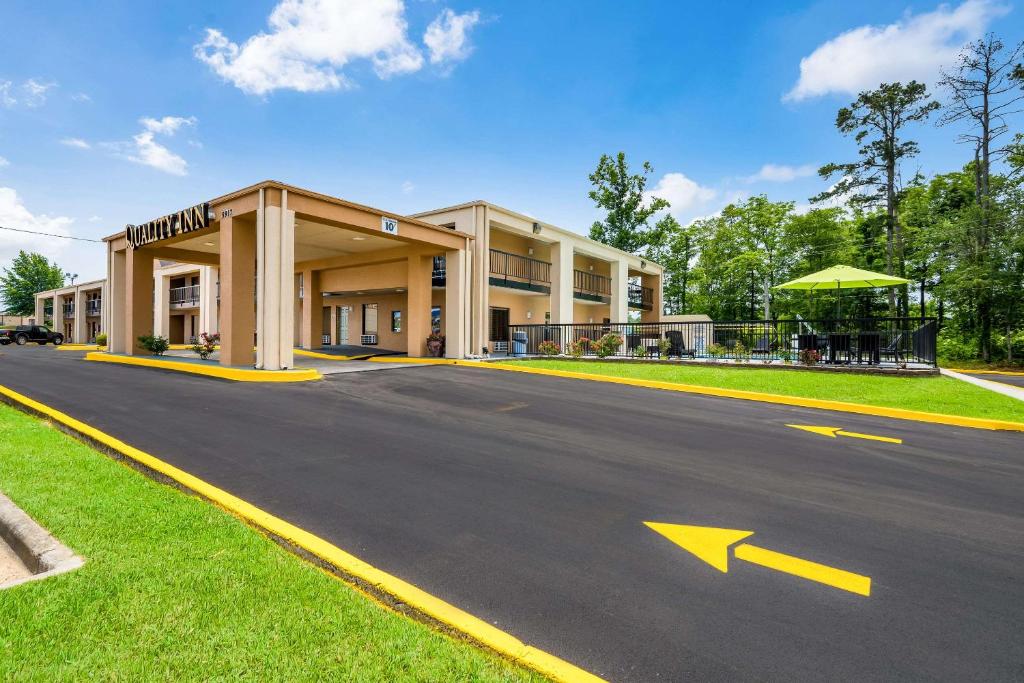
{"x":310,"y":44}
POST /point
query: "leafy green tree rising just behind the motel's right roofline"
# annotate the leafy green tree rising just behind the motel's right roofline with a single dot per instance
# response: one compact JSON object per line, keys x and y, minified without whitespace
{"x":629,"y":209}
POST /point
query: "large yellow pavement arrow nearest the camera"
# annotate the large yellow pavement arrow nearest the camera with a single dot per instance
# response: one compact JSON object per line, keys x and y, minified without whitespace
{"x":712,"y":546}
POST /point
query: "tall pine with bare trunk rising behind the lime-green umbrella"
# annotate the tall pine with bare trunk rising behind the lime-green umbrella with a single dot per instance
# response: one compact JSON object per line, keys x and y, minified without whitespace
{"x":877,"y":120}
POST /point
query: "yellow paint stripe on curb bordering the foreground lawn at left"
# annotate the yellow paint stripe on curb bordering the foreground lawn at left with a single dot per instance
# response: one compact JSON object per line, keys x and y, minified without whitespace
{"x":463,"y":622}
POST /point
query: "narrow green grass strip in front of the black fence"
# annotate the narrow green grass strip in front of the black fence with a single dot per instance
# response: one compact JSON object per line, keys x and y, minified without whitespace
{"x":933,"y":395}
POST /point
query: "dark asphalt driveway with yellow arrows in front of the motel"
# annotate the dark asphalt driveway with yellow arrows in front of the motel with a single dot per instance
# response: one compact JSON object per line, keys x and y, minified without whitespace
{"x":523,"y":500}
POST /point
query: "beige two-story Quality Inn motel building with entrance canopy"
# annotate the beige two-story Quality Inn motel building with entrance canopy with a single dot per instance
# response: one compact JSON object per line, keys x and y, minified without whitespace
{"x":282,"y":268}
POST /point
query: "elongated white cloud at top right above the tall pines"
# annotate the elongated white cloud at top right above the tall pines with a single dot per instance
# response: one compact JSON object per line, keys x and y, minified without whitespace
{"x":913,"y":49}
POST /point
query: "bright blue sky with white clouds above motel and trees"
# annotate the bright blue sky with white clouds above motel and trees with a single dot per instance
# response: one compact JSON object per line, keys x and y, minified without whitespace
{"x":117,"y":113}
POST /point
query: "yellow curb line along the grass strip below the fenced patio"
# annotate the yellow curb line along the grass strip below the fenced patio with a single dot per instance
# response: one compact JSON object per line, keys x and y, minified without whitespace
{"x":842,"y":407}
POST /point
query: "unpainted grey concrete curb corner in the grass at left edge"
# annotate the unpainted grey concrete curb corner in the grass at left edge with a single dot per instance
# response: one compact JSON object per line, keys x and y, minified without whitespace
{"x":38,"y":549}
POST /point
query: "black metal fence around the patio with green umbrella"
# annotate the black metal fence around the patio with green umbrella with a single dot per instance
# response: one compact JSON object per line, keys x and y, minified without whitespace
{"x":858,"y":341}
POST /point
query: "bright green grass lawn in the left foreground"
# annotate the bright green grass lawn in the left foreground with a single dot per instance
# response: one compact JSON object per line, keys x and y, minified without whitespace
{"x":176,"y":589}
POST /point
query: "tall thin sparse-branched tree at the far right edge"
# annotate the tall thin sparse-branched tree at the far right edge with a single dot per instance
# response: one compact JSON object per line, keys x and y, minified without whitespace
{"x":983,"y":94}
